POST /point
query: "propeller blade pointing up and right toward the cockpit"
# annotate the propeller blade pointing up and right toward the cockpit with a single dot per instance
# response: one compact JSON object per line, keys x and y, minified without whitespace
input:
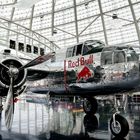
{"x":38,"y":60}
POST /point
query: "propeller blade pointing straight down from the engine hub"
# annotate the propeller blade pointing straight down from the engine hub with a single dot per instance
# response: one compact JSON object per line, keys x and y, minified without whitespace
{"x":9,"y":106}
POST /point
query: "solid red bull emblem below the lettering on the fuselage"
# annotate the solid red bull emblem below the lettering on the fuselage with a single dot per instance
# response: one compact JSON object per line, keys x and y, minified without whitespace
{"x":85,"y":73}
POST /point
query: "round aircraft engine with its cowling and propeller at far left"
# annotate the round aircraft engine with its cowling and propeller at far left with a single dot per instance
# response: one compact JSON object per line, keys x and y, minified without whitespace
{"x":13,"y":75}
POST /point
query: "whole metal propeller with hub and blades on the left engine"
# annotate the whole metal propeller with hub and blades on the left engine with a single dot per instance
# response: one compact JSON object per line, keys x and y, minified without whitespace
{"x":13,"y":72}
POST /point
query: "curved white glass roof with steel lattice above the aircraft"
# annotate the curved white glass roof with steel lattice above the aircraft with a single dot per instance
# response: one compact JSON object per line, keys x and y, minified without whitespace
{"x":63,"y":23}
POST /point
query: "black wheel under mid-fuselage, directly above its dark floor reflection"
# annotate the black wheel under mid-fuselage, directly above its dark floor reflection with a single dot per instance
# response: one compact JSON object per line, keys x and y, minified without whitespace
{"x":90,"y":105}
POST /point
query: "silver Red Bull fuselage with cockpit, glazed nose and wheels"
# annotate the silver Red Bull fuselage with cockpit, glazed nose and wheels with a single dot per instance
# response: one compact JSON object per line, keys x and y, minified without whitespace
{"x":89,"y":69}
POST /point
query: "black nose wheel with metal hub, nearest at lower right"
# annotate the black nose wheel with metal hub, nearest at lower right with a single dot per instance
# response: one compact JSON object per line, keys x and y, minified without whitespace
{"x":121,"y":129}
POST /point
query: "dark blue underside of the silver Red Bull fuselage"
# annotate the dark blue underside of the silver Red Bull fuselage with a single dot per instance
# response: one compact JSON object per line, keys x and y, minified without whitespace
{"x":90,"y":89}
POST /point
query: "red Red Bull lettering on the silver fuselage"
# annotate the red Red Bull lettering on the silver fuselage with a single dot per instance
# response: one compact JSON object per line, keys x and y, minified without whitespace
{"x":80,"y":62}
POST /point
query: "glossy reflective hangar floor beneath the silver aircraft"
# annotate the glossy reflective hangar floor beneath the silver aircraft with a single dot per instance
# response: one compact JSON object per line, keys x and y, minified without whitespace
{"x":37,"y":118}
